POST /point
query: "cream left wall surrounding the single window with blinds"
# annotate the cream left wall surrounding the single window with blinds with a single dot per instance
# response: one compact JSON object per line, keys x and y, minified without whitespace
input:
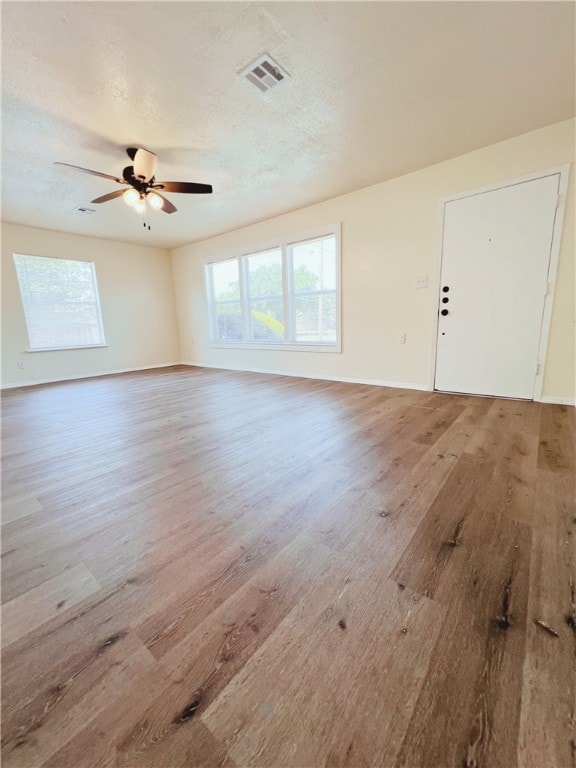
{"x":136,"y":297}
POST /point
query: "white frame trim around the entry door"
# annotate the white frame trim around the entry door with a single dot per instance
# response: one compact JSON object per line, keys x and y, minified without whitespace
{"x":564,"y":171}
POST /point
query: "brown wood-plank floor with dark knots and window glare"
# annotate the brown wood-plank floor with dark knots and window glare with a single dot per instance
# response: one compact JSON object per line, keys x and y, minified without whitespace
{"x":206,"y":568}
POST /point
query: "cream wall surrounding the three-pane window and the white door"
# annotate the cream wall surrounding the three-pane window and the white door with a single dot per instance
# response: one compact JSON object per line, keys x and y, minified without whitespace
{"x":389,"y":236}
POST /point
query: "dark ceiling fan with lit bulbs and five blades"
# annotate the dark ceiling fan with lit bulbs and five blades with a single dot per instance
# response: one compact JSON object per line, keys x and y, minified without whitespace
{"x":142,"y":185}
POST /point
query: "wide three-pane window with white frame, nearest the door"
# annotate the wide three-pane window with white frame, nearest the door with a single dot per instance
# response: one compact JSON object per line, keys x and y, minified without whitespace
{"x":285,"y":296}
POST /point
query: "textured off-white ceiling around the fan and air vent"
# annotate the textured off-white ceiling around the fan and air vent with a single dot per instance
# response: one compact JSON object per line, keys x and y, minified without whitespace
{"x":377,"y":89}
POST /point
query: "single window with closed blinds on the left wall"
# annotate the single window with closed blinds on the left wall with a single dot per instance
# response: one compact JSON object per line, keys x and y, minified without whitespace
{"x":60,"y":299}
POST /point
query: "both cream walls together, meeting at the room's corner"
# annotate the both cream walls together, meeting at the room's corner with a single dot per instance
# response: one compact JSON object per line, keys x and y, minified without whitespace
{"x":389,"y":234}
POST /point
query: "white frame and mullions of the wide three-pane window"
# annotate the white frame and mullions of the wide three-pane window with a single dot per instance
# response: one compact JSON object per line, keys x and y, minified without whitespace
{"x":283,"y":243}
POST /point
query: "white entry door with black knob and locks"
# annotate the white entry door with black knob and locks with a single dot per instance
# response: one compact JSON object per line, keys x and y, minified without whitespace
{"x":495,"y":258}
